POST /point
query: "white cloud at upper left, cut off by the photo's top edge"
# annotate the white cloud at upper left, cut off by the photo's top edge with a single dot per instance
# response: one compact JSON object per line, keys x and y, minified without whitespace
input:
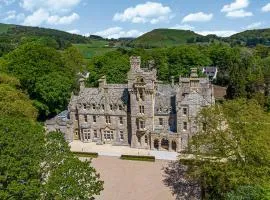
{"x":55,"y":6}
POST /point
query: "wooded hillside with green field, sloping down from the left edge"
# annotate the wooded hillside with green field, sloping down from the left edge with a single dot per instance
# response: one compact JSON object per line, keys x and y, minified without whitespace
{"x":13,"y":35}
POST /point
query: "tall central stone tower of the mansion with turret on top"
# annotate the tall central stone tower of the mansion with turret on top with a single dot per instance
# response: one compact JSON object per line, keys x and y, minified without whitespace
{"x":141,"y":87}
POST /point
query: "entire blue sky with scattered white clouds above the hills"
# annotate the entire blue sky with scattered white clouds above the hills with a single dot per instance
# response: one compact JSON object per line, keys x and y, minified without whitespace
{"x":131,"y":18}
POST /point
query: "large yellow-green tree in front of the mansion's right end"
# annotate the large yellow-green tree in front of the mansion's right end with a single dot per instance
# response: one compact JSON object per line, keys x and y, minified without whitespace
{"x":231,"y":149}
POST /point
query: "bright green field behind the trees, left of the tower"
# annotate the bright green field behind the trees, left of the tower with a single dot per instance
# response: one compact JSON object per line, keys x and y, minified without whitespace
{"x":96,"y":47}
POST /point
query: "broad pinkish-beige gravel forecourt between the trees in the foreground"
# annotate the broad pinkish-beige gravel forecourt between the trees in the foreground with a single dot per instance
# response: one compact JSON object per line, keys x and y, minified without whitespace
{"x":131,"y":180}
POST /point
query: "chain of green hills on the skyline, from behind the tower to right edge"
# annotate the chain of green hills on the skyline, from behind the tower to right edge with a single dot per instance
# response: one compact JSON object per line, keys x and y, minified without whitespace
{"x":172,"y":37}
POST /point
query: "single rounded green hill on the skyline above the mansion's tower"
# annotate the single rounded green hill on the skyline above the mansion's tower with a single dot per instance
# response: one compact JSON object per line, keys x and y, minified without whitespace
{"x":165,"y":38}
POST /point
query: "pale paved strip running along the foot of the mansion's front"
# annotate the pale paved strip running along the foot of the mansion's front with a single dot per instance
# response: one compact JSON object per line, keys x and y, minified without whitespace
{"x":117,"y":151}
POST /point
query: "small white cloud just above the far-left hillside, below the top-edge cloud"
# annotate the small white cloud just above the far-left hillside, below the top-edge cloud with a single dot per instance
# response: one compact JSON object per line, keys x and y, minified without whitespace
{"x":38,"y":17}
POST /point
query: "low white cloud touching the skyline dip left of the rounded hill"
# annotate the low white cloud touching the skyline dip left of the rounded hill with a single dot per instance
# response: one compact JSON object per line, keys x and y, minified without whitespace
{"x":117,"y":32}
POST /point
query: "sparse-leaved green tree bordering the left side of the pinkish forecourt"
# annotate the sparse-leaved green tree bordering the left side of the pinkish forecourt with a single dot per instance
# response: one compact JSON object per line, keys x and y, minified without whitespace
{"x":64,"y":175}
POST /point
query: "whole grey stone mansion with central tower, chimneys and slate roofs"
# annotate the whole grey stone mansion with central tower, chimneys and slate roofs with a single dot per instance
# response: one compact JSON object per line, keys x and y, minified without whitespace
{"x":144,"y":113}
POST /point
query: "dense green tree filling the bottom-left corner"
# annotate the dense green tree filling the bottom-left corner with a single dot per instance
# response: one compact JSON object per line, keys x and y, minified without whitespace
{"x":21,"y":152}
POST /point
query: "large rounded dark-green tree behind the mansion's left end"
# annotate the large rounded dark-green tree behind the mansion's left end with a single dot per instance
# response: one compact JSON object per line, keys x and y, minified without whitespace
{"x":47,"y":75}
